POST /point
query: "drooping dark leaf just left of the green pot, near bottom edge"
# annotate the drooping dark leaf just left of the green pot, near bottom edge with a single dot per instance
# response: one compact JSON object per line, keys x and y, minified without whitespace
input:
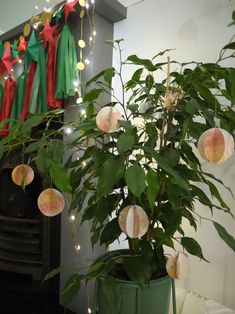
{"x":71,"y":289}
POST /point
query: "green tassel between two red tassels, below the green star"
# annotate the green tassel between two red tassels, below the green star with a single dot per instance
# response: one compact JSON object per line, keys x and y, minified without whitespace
{"x":37,"y":102}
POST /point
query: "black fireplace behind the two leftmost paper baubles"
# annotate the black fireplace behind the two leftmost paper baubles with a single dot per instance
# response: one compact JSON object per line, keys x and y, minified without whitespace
{"x":29,"y":247}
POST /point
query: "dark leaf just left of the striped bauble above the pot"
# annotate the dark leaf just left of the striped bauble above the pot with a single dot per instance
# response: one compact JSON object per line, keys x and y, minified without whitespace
{"x":110,"y":233}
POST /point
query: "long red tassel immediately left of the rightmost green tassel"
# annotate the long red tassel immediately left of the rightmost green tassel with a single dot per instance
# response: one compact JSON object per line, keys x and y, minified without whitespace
{"x":51,"y":77}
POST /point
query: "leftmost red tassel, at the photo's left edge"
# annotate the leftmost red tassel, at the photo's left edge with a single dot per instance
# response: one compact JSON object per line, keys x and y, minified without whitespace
{"x":8,"y":99}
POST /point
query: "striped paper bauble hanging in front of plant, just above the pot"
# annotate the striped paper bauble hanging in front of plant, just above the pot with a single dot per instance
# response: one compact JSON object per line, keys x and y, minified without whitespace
{"x":133,"y":221}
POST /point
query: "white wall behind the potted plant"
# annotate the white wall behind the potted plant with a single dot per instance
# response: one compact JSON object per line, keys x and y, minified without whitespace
{"x":197,"y":30}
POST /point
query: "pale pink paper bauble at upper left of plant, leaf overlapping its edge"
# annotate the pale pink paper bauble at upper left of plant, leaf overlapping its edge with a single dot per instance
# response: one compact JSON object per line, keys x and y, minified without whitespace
{"x":107,"y":119}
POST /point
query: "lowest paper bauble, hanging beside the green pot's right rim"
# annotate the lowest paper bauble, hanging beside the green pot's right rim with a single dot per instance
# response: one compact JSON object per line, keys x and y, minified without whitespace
{"x":178,"y":265}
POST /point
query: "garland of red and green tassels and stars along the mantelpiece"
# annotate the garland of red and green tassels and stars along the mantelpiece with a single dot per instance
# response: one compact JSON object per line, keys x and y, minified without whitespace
{"x":50,"y":67}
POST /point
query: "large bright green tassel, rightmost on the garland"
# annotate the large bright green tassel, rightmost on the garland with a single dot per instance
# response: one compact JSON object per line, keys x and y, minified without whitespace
{"x":66,"y":64}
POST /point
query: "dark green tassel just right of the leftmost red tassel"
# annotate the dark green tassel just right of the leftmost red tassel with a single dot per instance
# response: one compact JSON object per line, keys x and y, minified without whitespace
{"x":18,"y":99}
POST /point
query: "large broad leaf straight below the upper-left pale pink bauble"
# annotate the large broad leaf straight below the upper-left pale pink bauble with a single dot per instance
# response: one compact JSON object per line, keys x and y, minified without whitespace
{"x":111,"y":172}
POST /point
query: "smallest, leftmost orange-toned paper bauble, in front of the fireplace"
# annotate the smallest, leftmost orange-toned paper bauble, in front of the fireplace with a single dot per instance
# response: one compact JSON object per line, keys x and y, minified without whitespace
{"x":22,"y":175}
